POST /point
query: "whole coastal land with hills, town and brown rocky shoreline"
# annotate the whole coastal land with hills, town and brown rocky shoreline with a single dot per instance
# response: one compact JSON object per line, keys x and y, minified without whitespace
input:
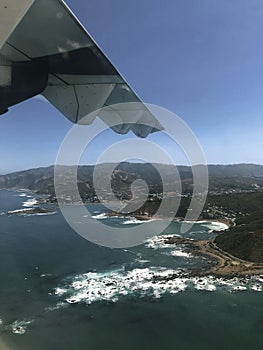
{"x":235,"y":197}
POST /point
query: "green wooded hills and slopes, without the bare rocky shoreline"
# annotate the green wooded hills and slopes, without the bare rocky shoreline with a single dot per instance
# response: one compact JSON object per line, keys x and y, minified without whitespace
{"x":235,"y":193}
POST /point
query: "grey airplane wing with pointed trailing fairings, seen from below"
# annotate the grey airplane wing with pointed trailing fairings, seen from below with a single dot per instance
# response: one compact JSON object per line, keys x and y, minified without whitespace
{"x":45,"y":50}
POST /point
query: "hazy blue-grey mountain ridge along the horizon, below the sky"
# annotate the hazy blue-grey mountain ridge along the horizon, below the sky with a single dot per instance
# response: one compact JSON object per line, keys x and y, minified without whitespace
{"x":237,"y":177}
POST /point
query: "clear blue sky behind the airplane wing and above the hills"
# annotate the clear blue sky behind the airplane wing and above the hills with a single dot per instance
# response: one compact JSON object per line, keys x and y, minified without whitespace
{"x":202,"y":60}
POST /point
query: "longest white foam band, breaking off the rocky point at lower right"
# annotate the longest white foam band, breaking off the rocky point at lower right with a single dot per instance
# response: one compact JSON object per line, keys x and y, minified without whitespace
{"x":141,"y":282}
